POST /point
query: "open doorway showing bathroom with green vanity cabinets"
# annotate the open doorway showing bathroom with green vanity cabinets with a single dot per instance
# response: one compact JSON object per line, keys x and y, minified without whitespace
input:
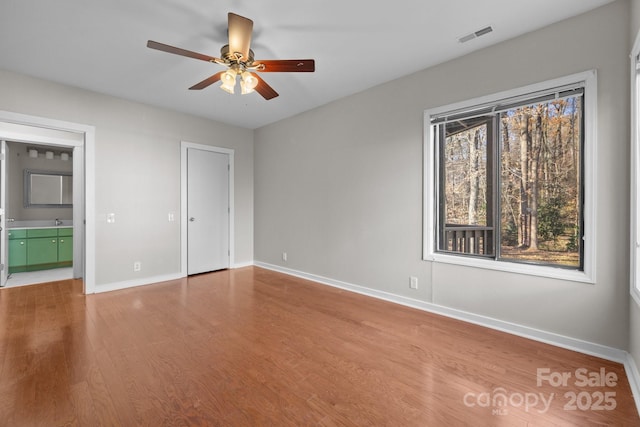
{"x":38,"y":182}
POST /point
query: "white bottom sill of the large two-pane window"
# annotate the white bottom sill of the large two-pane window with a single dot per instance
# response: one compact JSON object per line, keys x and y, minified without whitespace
{"x":512,"y":267}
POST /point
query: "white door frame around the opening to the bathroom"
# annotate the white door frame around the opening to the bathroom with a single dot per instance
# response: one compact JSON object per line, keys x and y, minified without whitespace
{"x":83,"y":182}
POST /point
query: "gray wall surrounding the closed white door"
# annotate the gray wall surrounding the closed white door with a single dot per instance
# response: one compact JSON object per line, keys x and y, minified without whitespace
{"x":137,"y":169}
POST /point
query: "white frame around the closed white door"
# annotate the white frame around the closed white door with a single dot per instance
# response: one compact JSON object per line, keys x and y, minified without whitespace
{"x":184,"y":252}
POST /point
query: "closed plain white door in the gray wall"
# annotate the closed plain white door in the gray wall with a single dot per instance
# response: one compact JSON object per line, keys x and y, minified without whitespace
{"x":207,"y":211}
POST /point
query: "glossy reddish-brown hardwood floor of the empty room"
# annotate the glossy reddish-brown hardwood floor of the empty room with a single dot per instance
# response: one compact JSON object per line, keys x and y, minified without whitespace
{"x":252,"y":347}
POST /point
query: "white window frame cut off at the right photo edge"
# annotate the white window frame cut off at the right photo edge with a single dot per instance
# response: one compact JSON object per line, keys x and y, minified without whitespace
{"x":635,"y":174}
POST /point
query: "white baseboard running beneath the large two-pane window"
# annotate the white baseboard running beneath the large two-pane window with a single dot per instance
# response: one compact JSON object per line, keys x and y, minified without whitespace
{"x":593,"y":349}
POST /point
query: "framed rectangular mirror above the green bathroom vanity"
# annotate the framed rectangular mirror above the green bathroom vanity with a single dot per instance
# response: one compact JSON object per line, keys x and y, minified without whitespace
{"x":48,"y":189}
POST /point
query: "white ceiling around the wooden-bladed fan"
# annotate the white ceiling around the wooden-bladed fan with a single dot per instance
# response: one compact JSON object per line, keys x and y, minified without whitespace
{"x":100,"y":45}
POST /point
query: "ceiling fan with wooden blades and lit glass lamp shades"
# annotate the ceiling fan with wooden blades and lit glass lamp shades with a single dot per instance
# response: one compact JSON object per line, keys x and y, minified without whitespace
{"x":239,"y":60}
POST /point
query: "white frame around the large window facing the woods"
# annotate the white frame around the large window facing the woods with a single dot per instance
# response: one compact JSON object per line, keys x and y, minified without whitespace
{"x":588,"y":274}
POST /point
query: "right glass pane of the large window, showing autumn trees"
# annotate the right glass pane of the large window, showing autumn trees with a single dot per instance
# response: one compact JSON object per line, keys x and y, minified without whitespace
{"x":540,"y":183}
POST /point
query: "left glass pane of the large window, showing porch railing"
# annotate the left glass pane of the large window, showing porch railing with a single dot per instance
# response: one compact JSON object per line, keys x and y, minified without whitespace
{"x":465,"y":209}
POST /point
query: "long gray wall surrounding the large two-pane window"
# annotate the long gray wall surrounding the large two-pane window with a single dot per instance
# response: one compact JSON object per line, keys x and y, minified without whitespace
{"x":339,"y":188}
